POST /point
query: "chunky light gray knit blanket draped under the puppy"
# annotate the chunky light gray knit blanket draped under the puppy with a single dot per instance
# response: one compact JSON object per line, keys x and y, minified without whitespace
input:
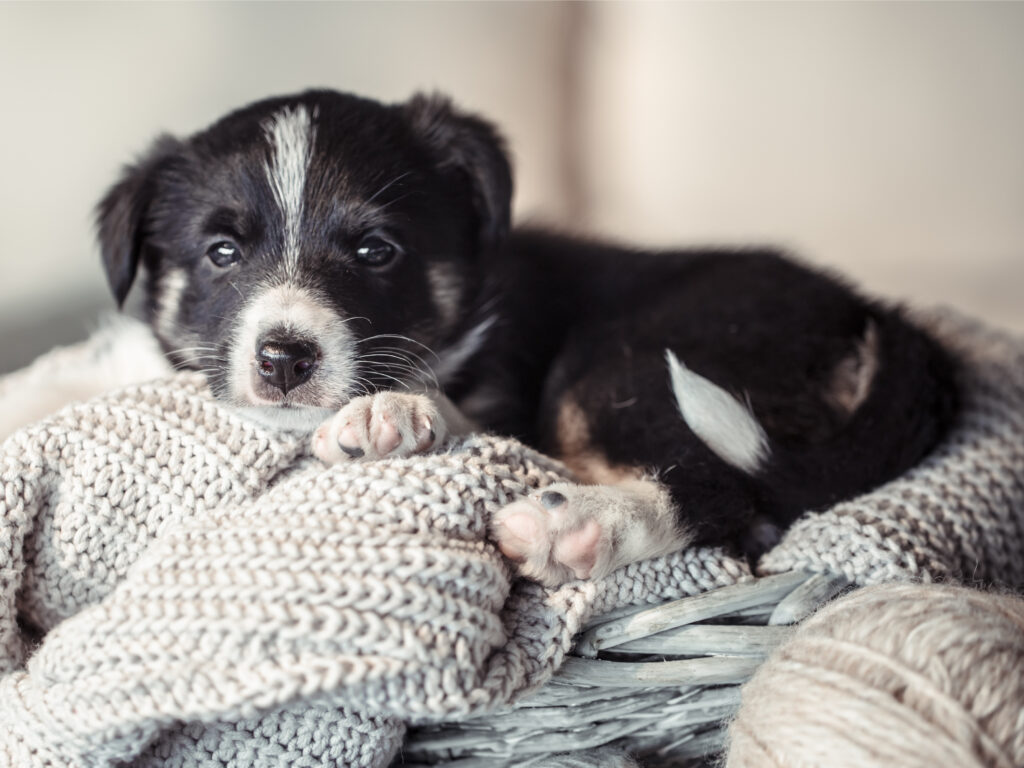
{"x":180,"y":587}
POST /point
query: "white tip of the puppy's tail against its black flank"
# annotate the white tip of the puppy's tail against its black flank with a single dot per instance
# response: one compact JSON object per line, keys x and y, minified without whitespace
{"x":723,"y":423}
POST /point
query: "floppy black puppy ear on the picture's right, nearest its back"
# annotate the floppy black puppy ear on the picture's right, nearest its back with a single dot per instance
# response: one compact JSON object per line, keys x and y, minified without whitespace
{"x":475,"y":147}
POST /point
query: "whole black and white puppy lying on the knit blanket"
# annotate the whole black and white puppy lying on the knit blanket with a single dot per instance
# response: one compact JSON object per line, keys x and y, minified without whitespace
{"x":327,"y":258}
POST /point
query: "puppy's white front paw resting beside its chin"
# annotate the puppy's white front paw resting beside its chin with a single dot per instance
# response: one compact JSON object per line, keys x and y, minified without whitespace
{"x":387,"y":424}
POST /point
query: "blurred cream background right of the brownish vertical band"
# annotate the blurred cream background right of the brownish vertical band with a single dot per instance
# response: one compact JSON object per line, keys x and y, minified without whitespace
{"x":883,"y":140}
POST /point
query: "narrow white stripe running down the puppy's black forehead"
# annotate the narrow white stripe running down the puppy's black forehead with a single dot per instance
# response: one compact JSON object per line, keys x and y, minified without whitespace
{"x":291,"y":136}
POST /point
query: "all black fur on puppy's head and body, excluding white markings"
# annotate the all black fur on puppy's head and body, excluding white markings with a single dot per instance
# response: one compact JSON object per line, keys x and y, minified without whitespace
{"x":564,"y":317}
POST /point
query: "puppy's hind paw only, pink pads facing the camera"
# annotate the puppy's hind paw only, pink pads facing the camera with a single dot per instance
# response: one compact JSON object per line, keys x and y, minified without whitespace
{"x":556,"y":535}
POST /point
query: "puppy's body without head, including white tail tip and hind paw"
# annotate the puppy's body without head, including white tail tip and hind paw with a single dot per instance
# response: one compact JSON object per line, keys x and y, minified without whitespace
{"x":743,"y":385}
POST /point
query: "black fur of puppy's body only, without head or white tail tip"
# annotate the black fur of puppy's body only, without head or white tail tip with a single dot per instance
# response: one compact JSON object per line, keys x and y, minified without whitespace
{"x":754,"y":323}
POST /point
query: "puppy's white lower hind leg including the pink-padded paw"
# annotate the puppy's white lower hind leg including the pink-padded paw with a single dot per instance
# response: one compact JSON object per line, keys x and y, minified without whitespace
{"x":570,"y":532}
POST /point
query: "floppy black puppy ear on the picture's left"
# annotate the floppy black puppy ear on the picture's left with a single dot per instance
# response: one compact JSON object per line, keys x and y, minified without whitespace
{"x":121,"y":216}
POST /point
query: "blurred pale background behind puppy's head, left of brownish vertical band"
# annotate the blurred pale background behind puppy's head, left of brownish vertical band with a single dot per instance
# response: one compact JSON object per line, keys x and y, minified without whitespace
{"x":87,"y":87}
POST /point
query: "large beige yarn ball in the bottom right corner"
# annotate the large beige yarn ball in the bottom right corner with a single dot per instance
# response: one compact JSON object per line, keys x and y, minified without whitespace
{"x":902,"y":676}
